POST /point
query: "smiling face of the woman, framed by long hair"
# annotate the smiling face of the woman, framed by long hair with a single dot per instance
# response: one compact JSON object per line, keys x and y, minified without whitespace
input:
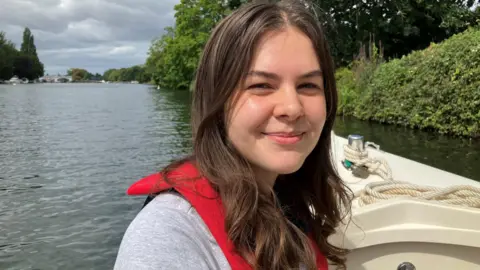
{"x":279,"y":111}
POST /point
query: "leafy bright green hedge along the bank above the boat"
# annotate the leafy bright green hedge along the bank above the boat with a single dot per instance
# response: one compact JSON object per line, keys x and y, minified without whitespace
{"x":436,"y":89}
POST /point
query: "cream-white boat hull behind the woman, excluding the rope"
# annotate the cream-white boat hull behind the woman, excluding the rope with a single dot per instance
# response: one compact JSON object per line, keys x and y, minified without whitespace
{"x":427,"y":234}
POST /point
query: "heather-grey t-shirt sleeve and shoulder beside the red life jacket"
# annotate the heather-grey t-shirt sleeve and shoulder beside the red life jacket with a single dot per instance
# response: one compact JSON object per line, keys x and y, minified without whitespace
{"x":168,"y":233}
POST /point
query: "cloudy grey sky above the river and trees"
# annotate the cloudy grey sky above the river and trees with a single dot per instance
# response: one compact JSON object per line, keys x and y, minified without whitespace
{"x":91,"y":34}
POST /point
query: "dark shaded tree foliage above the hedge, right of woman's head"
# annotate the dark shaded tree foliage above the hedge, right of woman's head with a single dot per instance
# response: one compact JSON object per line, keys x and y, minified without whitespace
{"x":402,"y":26}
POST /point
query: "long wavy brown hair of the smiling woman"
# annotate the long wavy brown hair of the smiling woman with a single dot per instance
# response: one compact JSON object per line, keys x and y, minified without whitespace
{"x":315,"y":194}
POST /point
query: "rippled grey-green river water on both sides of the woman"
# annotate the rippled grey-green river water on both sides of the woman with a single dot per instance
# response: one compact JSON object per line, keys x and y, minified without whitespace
{"x":68,"y":152}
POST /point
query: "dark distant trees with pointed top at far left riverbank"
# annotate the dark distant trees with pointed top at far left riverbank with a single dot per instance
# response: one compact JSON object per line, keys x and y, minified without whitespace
{"x":23,"y":63}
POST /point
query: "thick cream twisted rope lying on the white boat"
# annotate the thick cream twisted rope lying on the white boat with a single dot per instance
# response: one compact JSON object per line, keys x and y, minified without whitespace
{"x":463,"y":195}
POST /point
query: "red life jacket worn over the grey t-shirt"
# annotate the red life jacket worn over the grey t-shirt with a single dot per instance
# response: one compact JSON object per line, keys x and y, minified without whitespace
{"x":209,"y":206}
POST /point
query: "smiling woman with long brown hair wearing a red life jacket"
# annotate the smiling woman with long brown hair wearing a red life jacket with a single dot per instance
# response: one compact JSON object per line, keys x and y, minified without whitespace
{"x":260,"y":190}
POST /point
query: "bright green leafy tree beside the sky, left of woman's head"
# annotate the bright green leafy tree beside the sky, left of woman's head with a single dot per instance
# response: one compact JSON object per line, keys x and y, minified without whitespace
{"x":173,"y":58}
